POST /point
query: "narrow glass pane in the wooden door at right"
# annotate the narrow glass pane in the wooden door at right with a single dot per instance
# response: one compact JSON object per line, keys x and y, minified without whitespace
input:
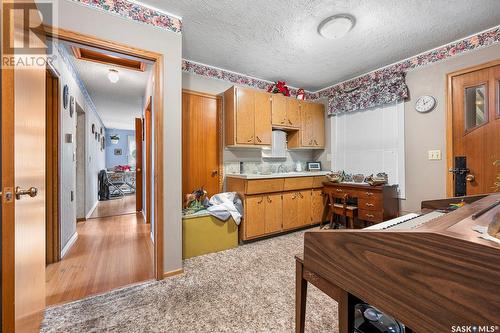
{"x":476,"y":109}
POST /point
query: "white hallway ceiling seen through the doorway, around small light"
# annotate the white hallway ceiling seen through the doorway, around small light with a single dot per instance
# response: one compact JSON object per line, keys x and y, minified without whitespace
{"x":118,"y":104}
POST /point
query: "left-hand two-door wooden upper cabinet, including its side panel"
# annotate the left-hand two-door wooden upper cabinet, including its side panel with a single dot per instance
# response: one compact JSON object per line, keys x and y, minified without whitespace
{"x":247,"y":115}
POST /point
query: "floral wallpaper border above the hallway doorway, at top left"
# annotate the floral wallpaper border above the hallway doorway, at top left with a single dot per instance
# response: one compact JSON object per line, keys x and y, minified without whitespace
{"x":136,"y":12}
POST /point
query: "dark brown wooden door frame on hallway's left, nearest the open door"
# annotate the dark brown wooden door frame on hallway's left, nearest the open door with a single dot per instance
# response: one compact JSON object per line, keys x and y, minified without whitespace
{"x":53,"y":168}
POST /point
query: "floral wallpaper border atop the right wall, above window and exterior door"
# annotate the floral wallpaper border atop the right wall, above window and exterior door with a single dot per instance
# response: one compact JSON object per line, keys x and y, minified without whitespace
{"x":480,"y":40}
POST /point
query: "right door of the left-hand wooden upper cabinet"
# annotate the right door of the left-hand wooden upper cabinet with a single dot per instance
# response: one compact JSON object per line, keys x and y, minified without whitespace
{"x":263,"y":128}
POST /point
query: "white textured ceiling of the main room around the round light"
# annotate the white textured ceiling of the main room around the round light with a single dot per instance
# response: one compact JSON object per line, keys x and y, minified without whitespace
{"x":278,"y":39}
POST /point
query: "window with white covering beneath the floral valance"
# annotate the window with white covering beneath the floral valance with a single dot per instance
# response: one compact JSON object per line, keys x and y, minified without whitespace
{"x":371,"y":141}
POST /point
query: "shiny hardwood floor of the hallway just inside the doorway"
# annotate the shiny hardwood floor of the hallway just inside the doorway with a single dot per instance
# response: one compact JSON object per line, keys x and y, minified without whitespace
{"x":110,"y":252}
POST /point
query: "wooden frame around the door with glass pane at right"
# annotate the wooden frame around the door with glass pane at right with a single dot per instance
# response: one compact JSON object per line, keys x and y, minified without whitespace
{"x":449,"y":118}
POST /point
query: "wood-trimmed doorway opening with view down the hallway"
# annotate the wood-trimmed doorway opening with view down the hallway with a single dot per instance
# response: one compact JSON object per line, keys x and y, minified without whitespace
{"x":103,"y":228}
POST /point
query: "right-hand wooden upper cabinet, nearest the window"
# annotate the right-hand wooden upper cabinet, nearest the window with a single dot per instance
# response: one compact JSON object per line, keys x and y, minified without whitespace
{"x":312,"y":130}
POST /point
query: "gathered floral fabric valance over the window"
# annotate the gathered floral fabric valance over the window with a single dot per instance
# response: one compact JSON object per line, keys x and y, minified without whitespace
{"x":367,"y":91}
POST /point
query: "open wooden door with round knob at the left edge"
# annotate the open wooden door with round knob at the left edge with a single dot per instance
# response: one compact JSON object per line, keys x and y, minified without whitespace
{"x":23,"y":167}
